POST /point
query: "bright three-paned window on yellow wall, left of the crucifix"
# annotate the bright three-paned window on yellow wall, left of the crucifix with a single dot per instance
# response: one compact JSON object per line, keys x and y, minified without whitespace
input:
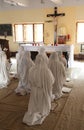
{"x":28,"y":32}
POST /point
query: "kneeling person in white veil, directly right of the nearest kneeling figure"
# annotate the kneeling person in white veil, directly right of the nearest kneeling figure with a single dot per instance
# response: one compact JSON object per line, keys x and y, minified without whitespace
{"x":59,"y":72}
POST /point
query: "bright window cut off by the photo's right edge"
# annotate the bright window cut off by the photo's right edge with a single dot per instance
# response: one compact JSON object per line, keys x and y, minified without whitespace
{"x":80,"y":32}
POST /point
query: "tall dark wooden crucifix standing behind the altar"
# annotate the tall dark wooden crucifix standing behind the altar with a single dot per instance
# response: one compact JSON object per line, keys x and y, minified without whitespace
{"x":55,"y":22}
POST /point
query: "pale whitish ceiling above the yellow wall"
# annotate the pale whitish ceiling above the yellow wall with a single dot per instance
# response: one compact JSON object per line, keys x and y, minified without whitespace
{"x":32,"y":4}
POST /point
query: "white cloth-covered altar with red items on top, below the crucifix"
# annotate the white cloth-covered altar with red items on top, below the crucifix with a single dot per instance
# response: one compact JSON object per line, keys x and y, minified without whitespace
{"x":50,"y":49}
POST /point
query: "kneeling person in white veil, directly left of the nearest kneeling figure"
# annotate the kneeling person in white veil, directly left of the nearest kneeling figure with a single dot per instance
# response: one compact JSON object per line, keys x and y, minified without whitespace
{"x":25,"y":64}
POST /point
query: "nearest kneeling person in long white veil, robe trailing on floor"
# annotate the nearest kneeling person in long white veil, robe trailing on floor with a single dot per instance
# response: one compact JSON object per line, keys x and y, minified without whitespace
{"x":41,"y":81}
